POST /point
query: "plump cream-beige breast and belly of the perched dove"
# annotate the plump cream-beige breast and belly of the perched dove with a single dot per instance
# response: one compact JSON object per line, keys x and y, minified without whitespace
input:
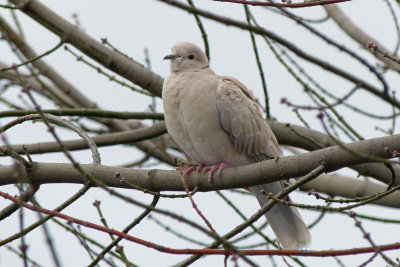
{"x":192,"y":118}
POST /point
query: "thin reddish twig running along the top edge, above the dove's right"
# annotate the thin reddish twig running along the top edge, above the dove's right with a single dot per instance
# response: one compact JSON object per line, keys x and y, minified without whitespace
{"x":290,"y":5}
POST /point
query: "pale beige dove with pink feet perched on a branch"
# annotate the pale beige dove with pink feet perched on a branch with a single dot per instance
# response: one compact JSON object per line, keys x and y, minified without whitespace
{"x":215,"y":120}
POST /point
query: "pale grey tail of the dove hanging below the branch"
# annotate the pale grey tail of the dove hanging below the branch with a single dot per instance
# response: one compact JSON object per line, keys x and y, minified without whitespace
{"x":285,"y":221}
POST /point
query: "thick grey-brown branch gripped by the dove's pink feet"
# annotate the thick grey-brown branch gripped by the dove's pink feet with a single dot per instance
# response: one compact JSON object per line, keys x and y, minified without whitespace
{"x":259,"y":173}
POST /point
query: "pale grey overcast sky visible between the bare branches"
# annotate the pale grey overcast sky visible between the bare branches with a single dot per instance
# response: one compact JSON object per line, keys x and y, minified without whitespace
{"x":132,"y":27}
